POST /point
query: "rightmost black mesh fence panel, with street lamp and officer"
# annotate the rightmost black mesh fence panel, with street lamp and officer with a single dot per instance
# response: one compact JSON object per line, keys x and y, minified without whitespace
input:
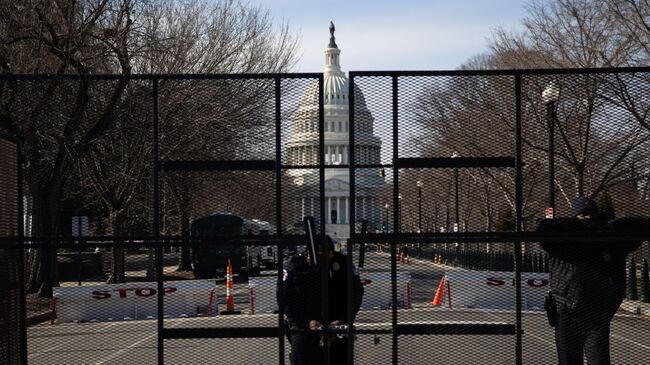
{"x":600,"y":149}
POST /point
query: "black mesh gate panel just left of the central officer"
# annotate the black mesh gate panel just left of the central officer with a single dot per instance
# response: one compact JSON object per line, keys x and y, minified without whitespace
{"x":252,"y":151}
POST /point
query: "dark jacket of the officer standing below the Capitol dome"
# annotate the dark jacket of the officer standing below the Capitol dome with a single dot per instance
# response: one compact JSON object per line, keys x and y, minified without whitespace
{"x":301,"y":295}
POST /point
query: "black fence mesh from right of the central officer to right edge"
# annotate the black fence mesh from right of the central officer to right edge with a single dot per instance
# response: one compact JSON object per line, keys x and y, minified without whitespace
{"x":455,"y":157}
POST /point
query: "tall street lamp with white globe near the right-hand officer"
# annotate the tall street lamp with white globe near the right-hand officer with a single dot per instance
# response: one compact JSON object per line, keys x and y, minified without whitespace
{"x":550,"y":96}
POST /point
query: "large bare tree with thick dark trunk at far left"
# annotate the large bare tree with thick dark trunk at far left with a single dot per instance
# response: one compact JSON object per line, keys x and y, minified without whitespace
{"x":59,"y":37}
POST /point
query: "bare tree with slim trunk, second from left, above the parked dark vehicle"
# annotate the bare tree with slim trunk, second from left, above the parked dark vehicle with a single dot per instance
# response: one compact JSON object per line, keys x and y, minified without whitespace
{"x":201,"y":37}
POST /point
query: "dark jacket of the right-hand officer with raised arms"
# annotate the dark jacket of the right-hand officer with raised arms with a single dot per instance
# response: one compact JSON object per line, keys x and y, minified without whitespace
{"x":589,"y":278}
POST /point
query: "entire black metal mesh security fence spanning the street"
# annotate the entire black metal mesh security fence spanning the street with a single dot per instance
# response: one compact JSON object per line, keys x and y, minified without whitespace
{"x":178,"y":204}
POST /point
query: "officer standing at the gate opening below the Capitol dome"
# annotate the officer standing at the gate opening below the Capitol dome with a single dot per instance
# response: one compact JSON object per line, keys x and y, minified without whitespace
{"x":301,"y":296}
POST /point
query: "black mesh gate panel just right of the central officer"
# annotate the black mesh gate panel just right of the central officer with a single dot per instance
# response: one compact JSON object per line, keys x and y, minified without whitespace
{"x":408,"y":189}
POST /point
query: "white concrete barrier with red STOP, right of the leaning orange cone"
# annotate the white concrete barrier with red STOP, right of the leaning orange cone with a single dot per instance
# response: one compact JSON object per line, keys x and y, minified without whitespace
{"x":494,"y":289}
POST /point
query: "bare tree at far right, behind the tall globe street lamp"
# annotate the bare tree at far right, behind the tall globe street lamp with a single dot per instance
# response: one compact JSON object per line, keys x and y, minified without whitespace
{"x":582,"y":33}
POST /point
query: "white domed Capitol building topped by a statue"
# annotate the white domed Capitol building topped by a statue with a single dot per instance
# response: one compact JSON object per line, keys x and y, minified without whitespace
{"x":302,"y":149}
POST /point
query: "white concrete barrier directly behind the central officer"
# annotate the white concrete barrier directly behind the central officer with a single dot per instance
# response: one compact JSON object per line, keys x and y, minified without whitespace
{"x":377,"y":292}
